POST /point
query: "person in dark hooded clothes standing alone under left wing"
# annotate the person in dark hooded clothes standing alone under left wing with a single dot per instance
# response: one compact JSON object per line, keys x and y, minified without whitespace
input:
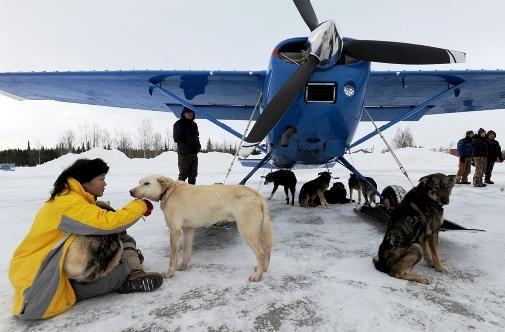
{"x":186,"y":136}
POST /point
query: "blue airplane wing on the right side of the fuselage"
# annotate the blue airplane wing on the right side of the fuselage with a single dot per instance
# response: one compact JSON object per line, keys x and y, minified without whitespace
{"x":391,"y":94}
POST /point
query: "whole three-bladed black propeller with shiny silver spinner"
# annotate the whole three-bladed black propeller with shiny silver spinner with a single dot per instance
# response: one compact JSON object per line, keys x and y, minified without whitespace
{"x":326,"y":48}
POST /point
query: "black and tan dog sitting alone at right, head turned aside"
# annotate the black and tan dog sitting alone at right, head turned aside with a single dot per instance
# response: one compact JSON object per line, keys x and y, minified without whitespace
{"x":413,"y":229}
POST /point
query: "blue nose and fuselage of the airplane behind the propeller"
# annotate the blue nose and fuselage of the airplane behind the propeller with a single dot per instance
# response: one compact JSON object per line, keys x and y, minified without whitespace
{"x":323,"y":118}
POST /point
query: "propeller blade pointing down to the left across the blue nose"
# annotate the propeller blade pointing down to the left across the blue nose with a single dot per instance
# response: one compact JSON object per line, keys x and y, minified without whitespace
{"x":280,"y":103}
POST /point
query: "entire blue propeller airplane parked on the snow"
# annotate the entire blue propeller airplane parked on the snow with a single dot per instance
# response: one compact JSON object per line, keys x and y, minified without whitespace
{"x":310,"y":99}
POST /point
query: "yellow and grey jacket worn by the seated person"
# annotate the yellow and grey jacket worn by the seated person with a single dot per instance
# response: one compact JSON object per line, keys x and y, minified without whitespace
{"x":36,"y":271}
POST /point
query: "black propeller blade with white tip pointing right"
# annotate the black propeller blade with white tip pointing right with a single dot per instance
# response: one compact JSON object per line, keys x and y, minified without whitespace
{"x":400,"y":53}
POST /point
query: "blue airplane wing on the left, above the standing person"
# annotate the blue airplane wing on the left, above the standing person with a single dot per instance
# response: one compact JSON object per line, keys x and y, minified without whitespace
{"x":226,"y":95}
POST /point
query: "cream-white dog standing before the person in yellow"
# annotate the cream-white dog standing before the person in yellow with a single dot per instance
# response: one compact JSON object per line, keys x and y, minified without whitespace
{"x":187,"y":207}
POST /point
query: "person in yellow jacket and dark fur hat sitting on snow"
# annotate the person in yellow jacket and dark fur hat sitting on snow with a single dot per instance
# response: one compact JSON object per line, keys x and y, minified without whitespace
{"x":36,"y":271}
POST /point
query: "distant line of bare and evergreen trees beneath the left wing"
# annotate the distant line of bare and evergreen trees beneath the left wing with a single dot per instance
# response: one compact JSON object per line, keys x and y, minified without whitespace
{"x":144,"y":143}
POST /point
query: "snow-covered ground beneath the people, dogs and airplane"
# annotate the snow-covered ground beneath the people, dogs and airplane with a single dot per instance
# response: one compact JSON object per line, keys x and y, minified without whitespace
{"x":321,"y":275}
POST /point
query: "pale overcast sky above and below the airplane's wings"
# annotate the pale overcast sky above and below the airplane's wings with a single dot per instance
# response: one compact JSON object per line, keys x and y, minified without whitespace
{"x":221,"y":34}
